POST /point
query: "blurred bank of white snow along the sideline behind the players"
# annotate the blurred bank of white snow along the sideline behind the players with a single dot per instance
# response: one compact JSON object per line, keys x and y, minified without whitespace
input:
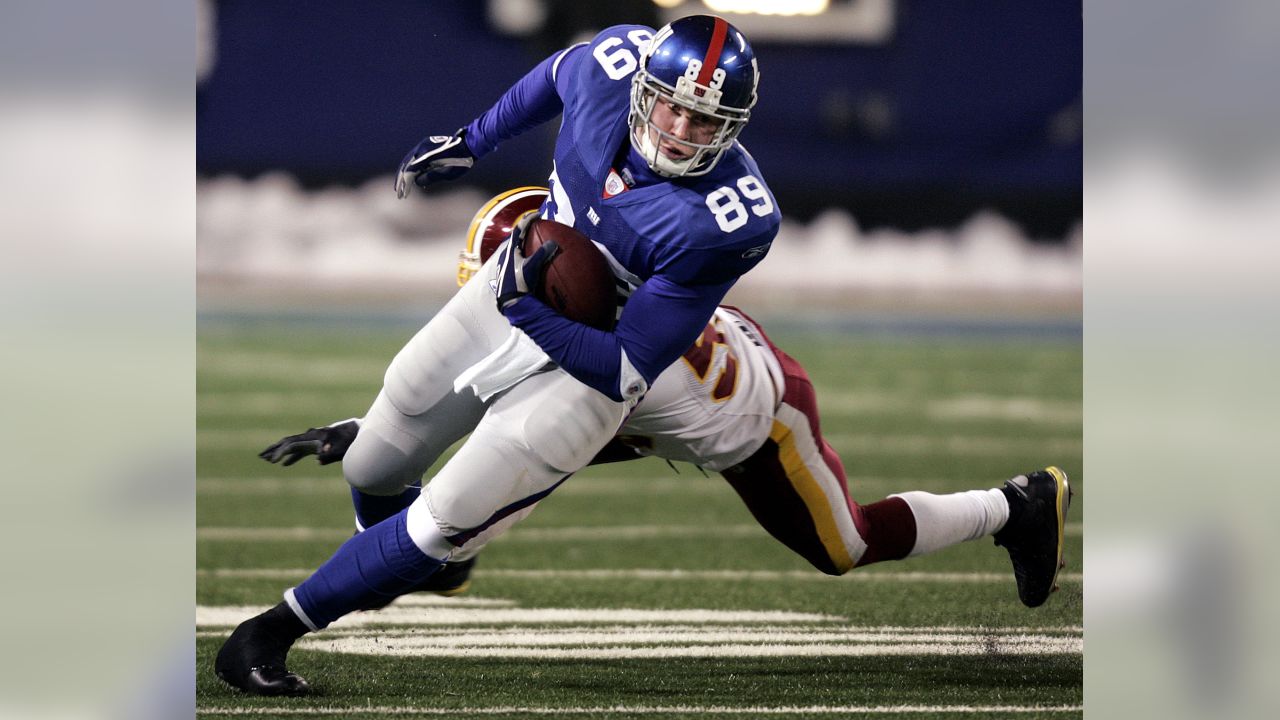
{"x":271,"y":231}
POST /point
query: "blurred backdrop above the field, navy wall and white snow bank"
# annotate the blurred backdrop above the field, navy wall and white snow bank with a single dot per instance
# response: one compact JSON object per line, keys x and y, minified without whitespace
{"x":926,"y":156}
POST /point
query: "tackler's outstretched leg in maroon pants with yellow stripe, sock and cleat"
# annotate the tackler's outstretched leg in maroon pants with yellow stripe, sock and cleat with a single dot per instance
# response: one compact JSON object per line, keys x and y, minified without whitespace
{"x":796,"y":486}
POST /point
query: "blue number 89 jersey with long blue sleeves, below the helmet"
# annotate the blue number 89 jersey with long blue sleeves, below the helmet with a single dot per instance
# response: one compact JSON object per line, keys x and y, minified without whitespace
{"x":680,"y":244}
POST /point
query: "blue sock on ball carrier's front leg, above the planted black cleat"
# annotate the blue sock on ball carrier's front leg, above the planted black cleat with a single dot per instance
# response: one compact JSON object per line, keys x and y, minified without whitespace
{"x":369,"y":571}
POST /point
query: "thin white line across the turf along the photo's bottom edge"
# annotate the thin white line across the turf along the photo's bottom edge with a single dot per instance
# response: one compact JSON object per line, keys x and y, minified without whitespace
{"x":652,"y":710}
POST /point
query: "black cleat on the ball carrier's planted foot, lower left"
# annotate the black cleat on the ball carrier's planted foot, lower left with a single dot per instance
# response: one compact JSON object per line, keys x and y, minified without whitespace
{"x":253,"y":658}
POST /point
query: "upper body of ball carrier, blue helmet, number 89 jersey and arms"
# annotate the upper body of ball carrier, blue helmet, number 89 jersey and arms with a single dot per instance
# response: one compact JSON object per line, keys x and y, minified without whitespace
{"x":647,"y":165}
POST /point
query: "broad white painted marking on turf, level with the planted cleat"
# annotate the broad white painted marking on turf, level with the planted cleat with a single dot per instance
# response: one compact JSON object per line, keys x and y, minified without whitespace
{"x":446,"y":628}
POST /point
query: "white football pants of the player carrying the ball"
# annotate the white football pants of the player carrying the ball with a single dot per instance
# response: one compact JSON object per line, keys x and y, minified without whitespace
{"x":523,"y":443}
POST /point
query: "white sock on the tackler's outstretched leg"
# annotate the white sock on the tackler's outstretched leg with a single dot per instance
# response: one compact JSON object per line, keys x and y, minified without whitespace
{"x":943,"y":521}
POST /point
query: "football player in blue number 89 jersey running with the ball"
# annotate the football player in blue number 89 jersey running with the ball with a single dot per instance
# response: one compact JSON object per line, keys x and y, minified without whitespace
{"x":648,"y":166}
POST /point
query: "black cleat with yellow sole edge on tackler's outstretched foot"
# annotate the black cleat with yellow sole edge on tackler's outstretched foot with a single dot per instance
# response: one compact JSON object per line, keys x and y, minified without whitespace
{"x":1034,"y":536}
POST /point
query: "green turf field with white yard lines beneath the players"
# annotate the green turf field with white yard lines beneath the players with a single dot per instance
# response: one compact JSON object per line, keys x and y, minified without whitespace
{"x":644,"y":591}
